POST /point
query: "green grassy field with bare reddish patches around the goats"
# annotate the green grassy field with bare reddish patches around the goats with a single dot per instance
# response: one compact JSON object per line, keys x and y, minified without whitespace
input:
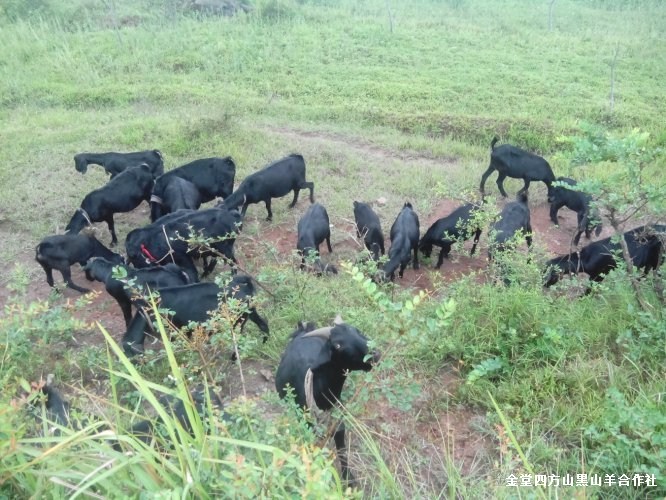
{"x":384,"y":99}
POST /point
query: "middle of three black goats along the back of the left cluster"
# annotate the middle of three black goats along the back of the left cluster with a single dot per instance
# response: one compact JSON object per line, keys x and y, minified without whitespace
{"x":211,"y":177}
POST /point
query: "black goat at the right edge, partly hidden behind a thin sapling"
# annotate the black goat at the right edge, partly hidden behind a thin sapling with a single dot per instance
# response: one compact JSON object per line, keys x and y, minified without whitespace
{"x":645,"y":243}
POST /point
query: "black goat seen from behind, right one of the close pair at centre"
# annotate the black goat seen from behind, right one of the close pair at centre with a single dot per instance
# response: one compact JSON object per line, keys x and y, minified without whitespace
{"x":404,"y":240}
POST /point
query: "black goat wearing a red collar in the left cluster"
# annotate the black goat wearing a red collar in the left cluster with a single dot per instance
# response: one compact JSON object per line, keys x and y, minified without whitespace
{"x":163,"y":240}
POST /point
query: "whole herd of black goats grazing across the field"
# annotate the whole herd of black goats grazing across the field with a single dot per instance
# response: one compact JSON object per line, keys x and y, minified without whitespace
{"x":163,"y":260}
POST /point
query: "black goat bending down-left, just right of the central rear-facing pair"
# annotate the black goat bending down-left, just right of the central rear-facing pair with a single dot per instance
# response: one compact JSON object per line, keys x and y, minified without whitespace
{"x":447,"y":230}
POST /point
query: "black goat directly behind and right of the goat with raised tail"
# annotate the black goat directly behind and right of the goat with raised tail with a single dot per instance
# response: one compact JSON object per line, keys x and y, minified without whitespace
{"x":579,"y":202}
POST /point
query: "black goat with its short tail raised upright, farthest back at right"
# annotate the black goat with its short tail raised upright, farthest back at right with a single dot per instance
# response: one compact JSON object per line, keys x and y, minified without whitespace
{"x":510,"y":161}
